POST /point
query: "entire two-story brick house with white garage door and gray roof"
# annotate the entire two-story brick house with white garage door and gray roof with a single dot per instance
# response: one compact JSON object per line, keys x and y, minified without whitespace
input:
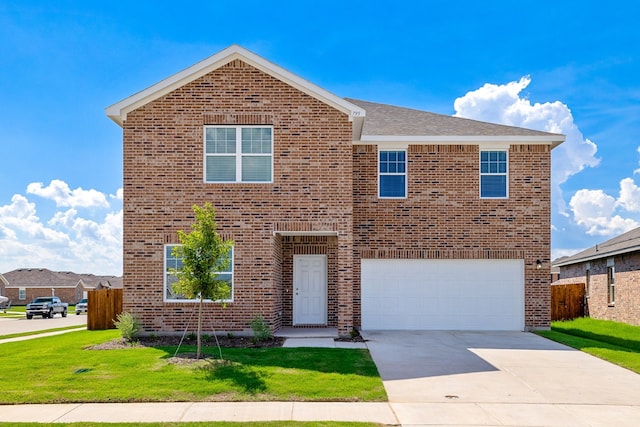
{"x":344,"y":213}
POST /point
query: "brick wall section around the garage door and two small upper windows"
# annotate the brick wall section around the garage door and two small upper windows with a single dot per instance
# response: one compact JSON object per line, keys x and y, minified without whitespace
{"x":443,"y":216}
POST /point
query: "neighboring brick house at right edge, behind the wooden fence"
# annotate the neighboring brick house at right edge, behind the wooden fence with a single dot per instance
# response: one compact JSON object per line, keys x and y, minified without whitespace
{"x":611,"y":274}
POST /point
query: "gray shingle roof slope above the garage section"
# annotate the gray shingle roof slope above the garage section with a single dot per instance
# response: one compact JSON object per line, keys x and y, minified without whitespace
{"x":382,"y":119}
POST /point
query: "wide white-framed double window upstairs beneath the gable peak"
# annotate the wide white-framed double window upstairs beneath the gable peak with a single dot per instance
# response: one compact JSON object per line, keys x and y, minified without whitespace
{"x":238,"y":154}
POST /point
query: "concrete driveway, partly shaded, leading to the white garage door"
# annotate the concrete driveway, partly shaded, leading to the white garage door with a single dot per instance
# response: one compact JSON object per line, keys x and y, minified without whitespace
{"x":500,"y":379}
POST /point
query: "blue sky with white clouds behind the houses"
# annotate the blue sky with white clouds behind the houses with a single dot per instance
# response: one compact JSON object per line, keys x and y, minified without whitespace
{"x":570,"y":67}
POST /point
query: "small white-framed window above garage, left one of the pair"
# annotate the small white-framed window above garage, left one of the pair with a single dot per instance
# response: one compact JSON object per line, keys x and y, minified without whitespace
{"x":392,"y":173}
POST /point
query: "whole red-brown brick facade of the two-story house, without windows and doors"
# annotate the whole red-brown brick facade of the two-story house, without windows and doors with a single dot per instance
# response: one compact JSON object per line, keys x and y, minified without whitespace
{"x":323,"y":200}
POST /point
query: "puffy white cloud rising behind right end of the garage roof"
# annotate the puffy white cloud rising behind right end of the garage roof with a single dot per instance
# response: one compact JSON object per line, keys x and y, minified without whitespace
{"x":503,"y":104}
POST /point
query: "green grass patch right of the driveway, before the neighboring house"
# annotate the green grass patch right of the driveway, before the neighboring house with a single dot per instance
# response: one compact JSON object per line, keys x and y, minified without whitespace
{"x":615,"y":342}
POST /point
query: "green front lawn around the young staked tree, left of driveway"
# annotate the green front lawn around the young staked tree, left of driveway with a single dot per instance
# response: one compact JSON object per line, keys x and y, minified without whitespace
{"x":60,"y":369}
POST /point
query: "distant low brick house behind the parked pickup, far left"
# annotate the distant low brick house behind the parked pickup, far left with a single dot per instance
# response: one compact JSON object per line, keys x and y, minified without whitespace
{"x":21,"y":286}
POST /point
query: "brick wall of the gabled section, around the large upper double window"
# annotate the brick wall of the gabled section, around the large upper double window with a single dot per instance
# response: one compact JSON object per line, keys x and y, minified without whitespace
{"x":163,"y":178}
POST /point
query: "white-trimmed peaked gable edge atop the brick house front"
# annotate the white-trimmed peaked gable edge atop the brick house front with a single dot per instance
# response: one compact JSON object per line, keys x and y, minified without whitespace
{"x":118,"y":111}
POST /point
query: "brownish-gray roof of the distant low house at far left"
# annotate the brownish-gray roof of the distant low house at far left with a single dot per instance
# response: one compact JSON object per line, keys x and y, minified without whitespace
{"x":45,"y":278}
